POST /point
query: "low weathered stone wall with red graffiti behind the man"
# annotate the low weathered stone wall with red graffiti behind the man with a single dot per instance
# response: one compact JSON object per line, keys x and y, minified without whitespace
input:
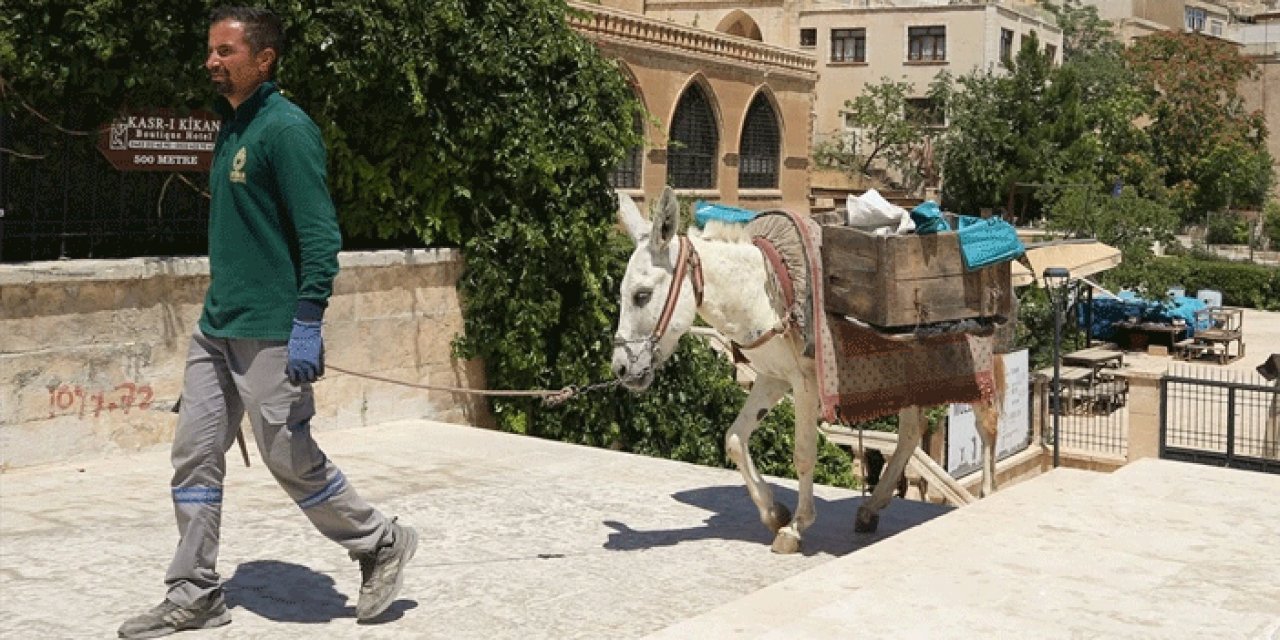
{"x":93,"y":351}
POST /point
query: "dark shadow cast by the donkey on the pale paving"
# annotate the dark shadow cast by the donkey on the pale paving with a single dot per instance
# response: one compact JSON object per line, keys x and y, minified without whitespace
{"x":734,"y":518}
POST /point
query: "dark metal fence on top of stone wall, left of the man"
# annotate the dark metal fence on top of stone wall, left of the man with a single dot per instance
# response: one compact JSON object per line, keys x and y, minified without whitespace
{"x":61,"y":199}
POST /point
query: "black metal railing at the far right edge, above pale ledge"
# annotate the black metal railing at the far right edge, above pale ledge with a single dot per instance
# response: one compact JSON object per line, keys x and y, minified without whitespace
{"x":1220,"y":418}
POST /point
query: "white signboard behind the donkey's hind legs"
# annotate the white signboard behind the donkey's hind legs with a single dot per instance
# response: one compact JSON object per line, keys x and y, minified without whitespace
{"x":964,"y":447}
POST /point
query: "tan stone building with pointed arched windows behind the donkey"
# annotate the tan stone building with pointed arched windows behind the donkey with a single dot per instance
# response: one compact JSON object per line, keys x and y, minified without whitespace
{"x":730,"y":116}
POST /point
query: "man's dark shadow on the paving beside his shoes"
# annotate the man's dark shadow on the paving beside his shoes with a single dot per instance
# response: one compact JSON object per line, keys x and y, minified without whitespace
{"x":284,"y":592}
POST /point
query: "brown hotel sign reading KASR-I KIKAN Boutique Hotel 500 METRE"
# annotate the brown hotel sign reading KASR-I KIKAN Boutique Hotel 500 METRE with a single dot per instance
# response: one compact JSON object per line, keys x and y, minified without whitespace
{"x":161,"y":140}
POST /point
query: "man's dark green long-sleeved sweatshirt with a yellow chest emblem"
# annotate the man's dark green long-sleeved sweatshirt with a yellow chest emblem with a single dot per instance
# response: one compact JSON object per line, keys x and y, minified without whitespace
{"x":273,"y":231}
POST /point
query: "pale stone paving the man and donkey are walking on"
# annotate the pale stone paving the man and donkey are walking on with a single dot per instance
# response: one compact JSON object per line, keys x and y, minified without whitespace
{"x":520,"y":538}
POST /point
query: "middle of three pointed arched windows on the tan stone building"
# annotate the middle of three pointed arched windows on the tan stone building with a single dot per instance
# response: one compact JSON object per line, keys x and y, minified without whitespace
{"x":694,"y":143}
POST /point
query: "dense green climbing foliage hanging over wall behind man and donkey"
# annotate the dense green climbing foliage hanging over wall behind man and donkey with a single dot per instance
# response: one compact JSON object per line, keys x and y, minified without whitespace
{"x":484,"y":126}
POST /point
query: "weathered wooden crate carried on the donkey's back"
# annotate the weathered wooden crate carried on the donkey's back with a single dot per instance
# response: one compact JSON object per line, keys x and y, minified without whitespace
{"x":908,"y":281}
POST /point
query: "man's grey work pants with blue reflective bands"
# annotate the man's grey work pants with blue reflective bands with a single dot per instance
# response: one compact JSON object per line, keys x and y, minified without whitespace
{"x":226,"y":380}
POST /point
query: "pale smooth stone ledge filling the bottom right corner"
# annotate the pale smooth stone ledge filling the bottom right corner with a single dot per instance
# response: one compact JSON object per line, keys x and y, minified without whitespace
{"x":1159,"y":550}
